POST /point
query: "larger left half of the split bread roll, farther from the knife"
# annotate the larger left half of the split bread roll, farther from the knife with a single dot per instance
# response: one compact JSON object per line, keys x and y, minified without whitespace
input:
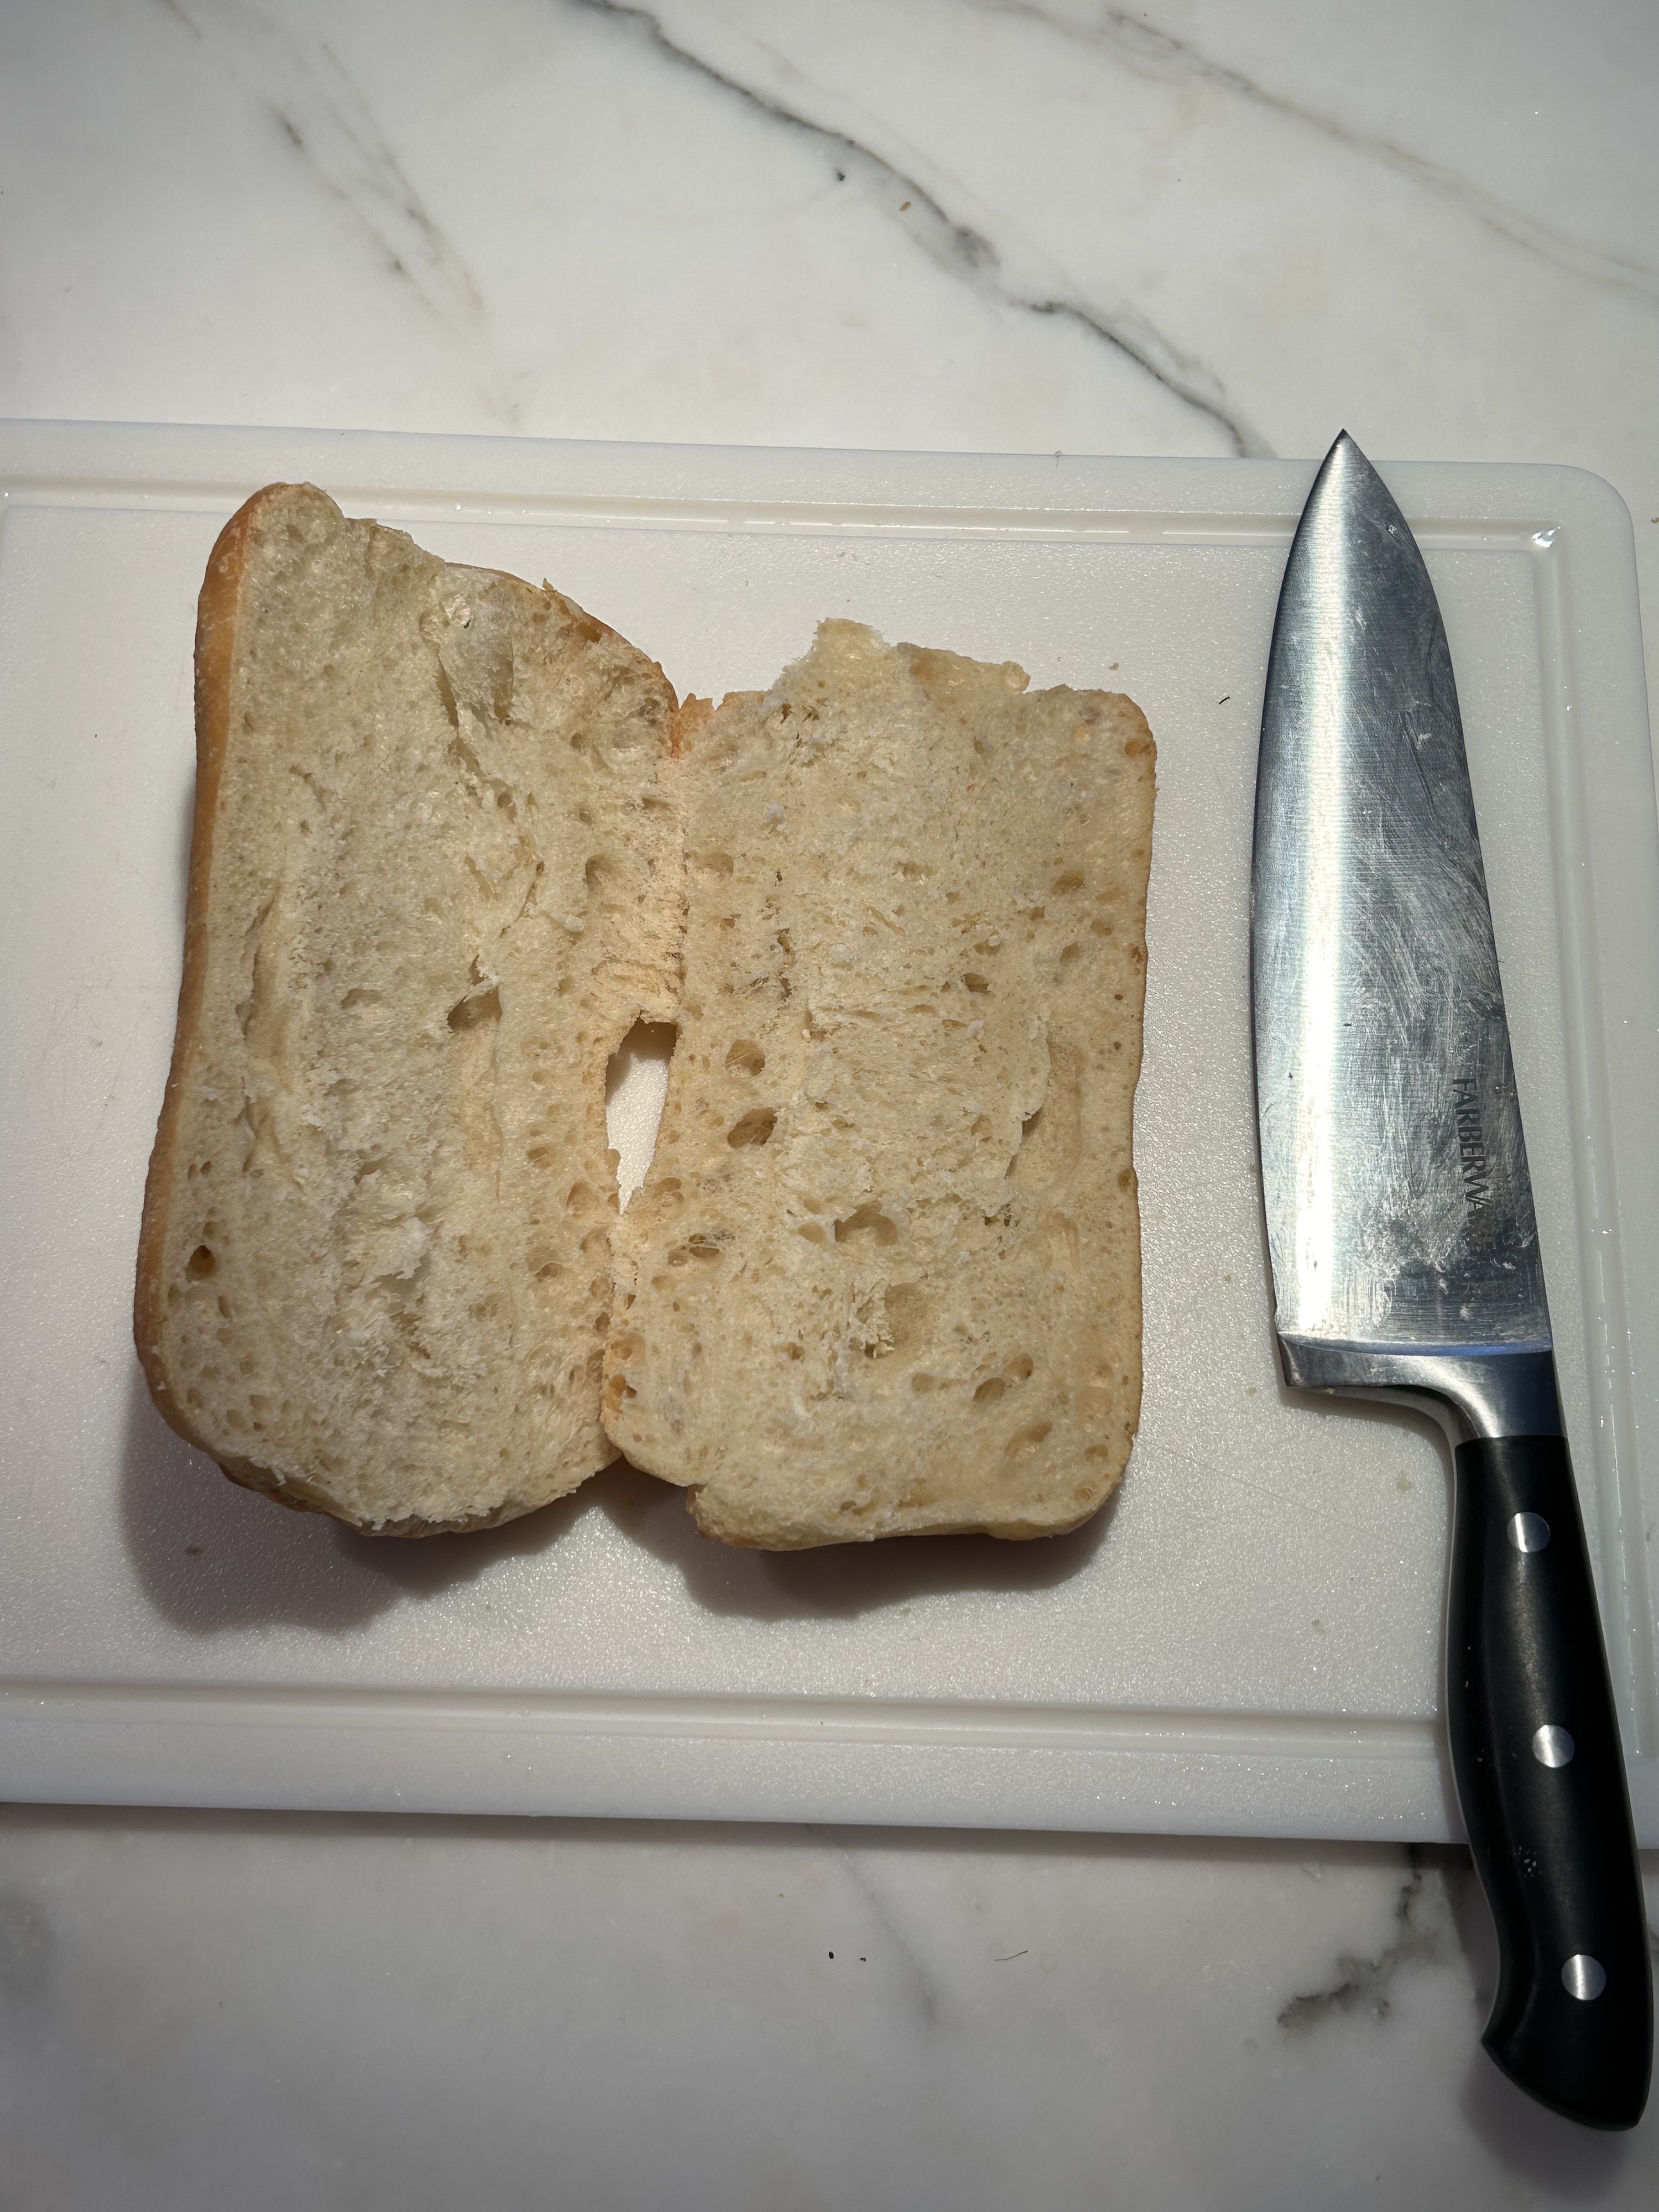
{"x":435,"y":879}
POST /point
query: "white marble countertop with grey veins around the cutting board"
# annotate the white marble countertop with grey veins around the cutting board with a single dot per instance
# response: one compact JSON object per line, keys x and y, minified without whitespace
{"x":946,"y":225}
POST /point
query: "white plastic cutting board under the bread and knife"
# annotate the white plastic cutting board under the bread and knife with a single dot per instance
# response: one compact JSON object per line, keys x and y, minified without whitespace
{"x":1249,"y":1638}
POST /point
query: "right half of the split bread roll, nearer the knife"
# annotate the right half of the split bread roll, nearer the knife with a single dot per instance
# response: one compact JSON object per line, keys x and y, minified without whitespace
{"x":884,"y":1275}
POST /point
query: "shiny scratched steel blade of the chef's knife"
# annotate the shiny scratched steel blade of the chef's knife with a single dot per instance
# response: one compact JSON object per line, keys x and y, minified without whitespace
{"x":1392,"y":1156}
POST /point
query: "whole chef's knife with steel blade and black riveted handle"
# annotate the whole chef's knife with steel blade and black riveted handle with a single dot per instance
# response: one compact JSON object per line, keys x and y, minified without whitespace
{"x":1406,"y":1258}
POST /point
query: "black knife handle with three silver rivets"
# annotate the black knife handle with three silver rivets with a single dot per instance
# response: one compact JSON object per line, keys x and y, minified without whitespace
{"x":1541,"y":1782}
